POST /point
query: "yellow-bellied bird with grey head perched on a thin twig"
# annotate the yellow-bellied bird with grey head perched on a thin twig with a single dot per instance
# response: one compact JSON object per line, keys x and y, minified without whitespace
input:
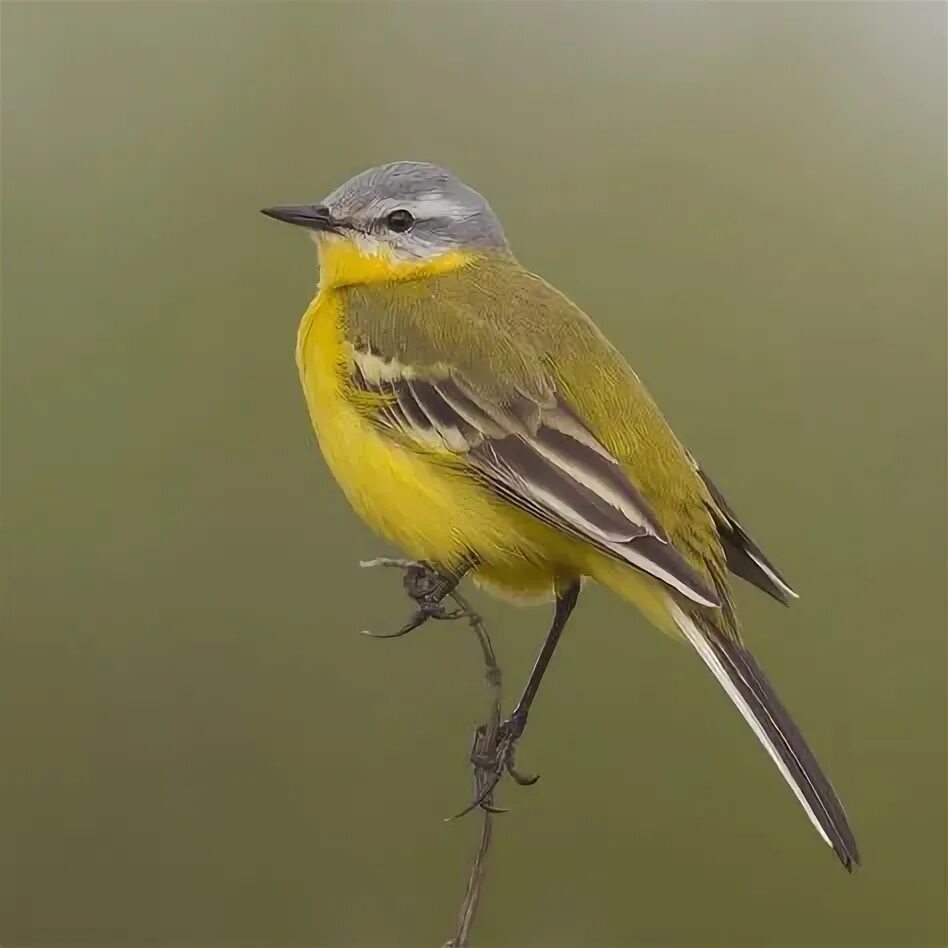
{"x":476,"y":417}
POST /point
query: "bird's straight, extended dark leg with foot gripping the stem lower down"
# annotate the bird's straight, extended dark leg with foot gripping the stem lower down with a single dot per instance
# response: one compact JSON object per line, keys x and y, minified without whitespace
{"x":493,"y":762}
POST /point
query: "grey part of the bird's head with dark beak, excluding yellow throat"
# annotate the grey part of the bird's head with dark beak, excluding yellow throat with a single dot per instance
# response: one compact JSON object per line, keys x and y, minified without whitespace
{"x":411,"y":210}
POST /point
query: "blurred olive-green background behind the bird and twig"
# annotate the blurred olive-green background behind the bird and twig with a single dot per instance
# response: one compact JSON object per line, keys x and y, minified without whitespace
{"x":198,"y":747}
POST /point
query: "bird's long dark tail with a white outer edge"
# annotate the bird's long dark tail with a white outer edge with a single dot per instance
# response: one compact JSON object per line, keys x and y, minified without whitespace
{"x":742,"y":678}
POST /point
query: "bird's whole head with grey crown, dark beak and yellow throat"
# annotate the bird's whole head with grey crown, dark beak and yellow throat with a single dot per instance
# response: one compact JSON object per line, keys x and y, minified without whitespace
{"x":397,"y":221}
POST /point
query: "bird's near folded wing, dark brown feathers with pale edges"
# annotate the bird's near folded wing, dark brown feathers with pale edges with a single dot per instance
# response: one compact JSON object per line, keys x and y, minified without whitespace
{"x":534,"y":451}
